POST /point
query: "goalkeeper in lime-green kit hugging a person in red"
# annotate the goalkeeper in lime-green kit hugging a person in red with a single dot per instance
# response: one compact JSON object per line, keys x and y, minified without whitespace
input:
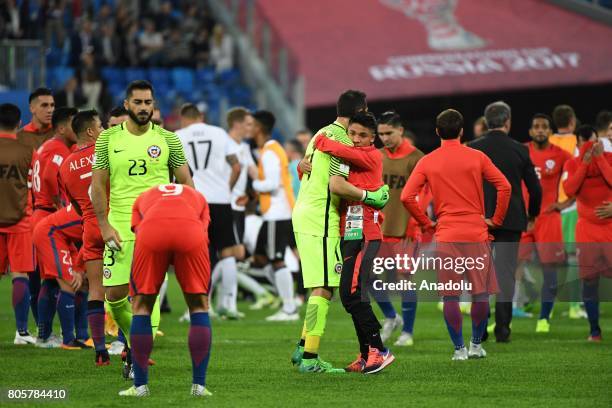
{"x":316,"y":223}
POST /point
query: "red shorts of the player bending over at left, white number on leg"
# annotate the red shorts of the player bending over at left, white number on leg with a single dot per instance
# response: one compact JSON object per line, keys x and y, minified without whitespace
{"x":54,"y":240}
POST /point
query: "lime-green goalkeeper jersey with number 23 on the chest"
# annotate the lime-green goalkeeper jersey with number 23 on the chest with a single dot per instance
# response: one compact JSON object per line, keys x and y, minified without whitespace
{"x":135,"y":164}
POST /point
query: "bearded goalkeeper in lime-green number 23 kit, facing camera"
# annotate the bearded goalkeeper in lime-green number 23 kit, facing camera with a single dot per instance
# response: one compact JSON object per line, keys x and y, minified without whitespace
{"x":130,"y":158}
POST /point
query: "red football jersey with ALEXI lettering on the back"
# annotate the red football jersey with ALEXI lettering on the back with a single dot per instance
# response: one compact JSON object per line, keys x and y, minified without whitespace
{"x":75,"y":175}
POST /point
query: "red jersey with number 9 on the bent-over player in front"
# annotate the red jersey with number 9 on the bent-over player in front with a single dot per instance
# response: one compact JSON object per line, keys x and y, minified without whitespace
{"x":170,"y":201}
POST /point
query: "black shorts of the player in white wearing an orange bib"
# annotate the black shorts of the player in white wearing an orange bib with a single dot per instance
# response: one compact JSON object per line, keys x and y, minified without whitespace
{"x":273,"y":238}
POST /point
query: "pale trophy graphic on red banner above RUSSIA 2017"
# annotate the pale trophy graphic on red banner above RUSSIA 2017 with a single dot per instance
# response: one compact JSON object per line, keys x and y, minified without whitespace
{"x":444,"y":33}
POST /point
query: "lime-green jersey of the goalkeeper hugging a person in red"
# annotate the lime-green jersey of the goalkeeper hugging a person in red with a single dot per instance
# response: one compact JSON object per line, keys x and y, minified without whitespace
{"x":316,"y":208}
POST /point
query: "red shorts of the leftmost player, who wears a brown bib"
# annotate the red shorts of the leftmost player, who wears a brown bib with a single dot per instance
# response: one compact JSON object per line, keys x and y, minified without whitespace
{"x":16,"y":251}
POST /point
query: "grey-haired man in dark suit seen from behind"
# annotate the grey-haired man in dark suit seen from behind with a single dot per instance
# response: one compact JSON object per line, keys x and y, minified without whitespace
{"x":512,"y":158}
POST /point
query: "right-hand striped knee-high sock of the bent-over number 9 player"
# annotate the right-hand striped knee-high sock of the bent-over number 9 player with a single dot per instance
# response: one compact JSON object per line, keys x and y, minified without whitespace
{"x":200,"y":341}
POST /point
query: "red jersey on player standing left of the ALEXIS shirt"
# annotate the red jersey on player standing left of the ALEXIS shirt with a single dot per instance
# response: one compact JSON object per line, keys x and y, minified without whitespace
{"x":45,"y":183}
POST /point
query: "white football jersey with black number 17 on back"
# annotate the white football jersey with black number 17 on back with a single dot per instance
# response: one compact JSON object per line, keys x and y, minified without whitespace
{"x":206,"y":149}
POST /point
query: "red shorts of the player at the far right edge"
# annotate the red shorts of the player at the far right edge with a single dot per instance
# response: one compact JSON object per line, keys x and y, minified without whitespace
{"x":594,"y":249}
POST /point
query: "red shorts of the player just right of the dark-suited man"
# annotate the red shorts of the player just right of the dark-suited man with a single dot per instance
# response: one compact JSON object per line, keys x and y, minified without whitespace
{"x":546,"y":238}
